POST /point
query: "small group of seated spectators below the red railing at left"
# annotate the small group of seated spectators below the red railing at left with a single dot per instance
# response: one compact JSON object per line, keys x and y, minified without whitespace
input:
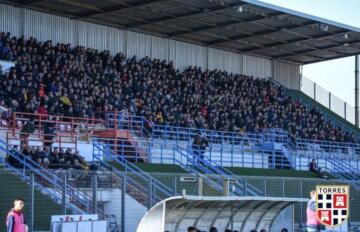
{"x":54,"y":158}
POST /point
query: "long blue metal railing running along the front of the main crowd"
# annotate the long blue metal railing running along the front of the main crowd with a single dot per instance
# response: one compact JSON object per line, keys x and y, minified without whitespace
{"x":230,"y":142}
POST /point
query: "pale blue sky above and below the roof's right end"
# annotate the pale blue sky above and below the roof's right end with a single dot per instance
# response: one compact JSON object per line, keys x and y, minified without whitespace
{"x":336,"y":76}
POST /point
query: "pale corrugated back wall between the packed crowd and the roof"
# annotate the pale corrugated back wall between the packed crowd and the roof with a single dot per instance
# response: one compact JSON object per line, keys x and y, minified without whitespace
{"x":20,"y":21}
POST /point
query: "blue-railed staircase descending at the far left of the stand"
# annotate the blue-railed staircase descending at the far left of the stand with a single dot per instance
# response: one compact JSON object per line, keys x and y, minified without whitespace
{"x":50,"y":183}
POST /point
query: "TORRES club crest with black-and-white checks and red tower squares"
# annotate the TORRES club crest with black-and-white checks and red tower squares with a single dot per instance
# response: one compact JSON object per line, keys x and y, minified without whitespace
{"x":332,"y":204}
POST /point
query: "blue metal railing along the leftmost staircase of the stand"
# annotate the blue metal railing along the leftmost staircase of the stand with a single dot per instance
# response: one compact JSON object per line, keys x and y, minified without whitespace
{"x":75,"y":199}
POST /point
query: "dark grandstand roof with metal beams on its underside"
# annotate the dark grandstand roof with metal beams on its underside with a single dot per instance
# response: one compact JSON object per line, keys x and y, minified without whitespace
{"x":242,"y":26}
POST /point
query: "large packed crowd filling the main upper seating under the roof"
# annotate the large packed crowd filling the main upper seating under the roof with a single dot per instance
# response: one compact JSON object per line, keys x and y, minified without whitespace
{"x":76,"y":81}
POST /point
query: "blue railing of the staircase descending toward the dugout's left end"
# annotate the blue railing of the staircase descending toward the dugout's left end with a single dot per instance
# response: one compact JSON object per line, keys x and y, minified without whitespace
{"x":103,"y":152}
